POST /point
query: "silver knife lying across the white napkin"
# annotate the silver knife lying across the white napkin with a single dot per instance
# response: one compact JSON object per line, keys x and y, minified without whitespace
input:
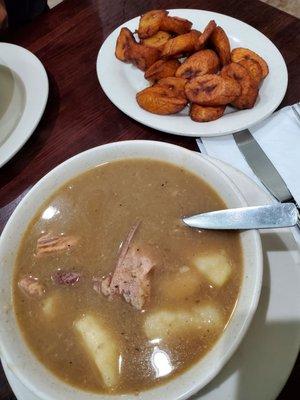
{"x":263,"y":167}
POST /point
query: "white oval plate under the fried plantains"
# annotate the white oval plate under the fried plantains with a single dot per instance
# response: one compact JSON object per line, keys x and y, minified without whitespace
{"x":121,"y":81}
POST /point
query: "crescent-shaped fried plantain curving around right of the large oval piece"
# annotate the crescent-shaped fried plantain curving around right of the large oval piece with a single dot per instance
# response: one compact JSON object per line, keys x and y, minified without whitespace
{"x":249,"y":89}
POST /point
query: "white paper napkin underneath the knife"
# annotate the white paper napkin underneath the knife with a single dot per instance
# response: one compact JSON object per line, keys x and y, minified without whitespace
{"x":278,"y":136}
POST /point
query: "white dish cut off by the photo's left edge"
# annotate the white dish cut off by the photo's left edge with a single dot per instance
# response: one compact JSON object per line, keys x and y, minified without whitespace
{"x":23,"y":96}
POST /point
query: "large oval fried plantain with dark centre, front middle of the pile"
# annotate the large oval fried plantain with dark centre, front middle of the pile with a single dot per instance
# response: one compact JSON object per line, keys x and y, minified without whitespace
{"x":212,"y":90}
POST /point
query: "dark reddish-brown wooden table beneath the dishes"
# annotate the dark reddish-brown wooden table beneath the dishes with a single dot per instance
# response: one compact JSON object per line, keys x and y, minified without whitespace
{"x":79,"y":116}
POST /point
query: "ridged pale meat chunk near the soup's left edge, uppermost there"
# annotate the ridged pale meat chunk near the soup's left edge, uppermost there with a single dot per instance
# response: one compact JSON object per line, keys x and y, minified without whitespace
{"x":49,"y":243}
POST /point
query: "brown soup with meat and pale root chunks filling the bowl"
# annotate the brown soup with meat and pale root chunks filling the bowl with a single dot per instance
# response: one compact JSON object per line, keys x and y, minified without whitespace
{"x":111,"y":291}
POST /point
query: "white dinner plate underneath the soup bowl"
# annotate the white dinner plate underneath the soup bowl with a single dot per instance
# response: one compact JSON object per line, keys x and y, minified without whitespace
{"x":261,"y":365}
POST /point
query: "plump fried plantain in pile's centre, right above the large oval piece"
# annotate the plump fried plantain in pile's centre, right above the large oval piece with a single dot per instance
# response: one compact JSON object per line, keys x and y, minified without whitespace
{"x":201,"y":63}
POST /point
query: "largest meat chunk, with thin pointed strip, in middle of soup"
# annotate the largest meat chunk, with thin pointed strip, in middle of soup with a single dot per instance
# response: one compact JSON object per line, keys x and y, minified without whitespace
{"x":131,"y":276}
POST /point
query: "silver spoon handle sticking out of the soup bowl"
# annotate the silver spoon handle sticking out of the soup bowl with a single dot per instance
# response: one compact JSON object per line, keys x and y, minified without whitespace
{"x":261,"y":217}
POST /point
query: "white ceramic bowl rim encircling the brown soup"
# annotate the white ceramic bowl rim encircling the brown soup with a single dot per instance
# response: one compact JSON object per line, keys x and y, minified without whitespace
{"x":13,"y":349}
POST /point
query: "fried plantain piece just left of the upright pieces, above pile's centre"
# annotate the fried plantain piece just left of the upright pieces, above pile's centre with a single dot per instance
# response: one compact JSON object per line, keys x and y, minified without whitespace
{"x":180,"y":45}
